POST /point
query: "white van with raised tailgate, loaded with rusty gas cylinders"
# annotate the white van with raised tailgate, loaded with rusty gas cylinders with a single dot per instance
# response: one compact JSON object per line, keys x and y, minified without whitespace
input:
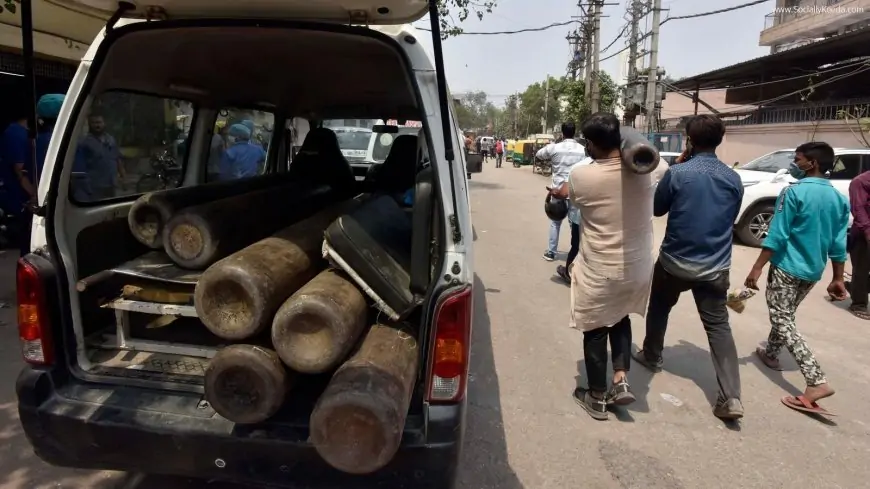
{"x":112,"y":383}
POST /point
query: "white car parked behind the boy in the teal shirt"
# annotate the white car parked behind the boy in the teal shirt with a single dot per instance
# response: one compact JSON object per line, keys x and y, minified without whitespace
{"x":765,"y":177}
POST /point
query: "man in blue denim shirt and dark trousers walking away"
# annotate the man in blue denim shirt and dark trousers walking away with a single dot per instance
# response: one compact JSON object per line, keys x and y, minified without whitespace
{"x":696,"y":255}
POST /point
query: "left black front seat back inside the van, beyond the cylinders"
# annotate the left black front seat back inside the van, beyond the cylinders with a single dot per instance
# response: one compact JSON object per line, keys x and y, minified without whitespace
{"x":320,"y":161}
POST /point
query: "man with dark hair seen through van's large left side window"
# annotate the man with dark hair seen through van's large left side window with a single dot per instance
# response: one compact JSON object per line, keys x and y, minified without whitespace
{"x":100,"y":157}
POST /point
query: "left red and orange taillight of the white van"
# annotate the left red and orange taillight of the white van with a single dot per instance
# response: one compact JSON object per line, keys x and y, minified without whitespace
{"x":33,"y":327}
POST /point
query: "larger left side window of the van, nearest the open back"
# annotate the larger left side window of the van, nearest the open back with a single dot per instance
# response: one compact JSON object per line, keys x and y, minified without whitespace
{"x":132,"y":143}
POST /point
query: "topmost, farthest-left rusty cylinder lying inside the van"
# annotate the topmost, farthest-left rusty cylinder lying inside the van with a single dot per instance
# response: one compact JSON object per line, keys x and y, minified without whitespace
{"x":152,"y":211}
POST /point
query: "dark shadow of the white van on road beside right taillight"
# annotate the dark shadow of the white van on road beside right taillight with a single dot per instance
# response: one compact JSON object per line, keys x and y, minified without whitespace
{"x":484,"y":459}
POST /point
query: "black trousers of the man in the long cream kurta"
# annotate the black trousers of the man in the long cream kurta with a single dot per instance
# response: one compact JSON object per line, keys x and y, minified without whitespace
{"x":595,"y":352}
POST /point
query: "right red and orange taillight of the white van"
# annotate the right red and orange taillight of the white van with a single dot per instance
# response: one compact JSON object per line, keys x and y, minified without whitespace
{"x":449,"y":355}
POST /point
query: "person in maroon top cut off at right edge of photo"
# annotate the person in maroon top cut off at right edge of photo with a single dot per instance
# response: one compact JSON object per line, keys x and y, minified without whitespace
{"x":859,"y":249}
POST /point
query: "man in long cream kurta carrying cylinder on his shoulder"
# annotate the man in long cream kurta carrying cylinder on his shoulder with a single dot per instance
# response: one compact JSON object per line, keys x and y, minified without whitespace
{"x":610,"y":278}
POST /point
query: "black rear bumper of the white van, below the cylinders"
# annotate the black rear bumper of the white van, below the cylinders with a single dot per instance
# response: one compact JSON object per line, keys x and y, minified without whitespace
{"x":129,"y":429}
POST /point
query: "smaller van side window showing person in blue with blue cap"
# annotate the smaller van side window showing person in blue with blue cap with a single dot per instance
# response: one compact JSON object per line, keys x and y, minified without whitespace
{"x":240,"y":143}
